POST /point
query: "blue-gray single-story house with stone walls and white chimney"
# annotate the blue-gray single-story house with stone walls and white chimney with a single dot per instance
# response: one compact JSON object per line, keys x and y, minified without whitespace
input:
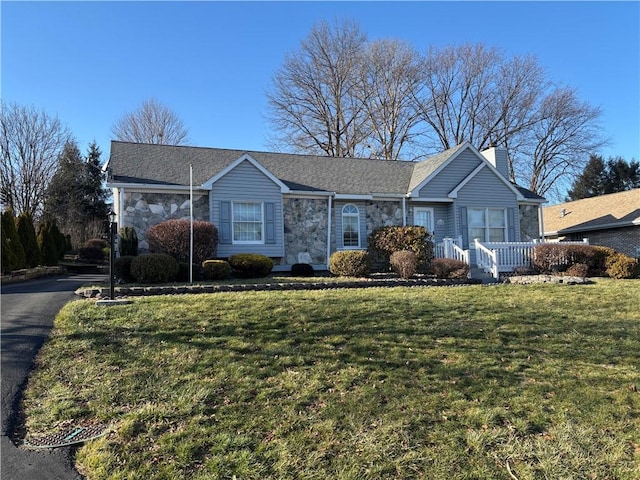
{"x":302,"y":208}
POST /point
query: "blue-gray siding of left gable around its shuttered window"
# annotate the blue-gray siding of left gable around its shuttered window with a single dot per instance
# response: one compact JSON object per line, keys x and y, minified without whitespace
{"x":247,"y":183}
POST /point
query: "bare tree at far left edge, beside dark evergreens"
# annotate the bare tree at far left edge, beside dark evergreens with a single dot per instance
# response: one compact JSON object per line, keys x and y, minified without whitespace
{"x":30,"y":143}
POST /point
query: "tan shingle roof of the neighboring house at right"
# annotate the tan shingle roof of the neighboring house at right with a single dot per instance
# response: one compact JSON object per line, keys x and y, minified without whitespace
{"x":596,"y":213}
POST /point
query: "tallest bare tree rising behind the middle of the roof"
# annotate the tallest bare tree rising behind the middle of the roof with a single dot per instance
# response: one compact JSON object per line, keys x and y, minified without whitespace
{"x":315,"y":104}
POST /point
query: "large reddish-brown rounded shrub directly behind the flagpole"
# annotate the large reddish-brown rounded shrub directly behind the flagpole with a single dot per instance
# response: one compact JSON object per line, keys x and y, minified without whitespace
{"x":172,"y":237}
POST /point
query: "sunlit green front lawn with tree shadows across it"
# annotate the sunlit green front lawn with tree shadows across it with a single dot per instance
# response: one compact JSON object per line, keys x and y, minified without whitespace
{"x":434,"y":383}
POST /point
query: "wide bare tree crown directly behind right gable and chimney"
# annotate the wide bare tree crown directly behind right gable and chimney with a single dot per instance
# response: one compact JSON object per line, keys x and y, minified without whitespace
{"x":472,"y":93}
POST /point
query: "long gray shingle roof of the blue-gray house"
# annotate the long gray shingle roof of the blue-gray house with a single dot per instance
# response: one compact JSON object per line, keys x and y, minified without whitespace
{"x":169,"y":165}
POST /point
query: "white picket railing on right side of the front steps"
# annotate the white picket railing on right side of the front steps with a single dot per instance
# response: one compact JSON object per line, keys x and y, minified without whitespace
{"x":497,"y":257}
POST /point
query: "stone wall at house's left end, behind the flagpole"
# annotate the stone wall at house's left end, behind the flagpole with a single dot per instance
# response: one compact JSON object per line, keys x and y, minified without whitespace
{"x":143,"y":210}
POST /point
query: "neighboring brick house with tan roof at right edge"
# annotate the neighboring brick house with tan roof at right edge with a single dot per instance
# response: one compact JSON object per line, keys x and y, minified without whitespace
{"x":610,"y":220}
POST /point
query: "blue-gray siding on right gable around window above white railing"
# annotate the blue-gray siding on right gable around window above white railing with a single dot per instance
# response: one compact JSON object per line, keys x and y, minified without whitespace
{"x":485,"y":190}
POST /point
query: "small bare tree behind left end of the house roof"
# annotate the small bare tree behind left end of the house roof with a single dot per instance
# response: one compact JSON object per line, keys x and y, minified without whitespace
{"x":152,"y":122}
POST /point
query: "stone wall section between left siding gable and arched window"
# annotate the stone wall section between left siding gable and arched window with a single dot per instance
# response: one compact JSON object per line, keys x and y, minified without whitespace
{"x":305,"y":231}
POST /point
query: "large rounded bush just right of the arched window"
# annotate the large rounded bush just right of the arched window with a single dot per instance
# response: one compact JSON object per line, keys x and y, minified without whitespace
{"x":384,"y":241}
